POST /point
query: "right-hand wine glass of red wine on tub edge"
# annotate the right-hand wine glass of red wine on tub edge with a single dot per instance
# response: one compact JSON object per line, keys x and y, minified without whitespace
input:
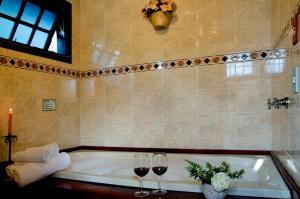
{"x":159,"y":167}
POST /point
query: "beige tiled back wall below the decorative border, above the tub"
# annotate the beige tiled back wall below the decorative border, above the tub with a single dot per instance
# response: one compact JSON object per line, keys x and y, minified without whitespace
{"x":196,"y":107}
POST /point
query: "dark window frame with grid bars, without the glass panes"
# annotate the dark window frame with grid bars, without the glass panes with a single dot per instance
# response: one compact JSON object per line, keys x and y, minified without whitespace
{"x":63,"y":11}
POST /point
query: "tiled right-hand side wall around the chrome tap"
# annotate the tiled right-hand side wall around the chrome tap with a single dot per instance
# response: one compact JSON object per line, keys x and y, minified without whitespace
{"x":286,"y":131}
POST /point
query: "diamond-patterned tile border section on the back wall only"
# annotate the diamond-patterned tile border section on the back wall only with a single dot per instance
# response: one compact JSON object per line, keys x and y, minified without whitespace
{"x":189,"y":62}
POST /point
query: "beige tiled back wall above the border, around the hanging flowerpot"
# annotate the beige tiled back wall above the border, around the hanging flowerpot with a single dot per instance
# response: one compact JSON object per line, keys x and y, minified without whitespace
{"x":116,"y":33}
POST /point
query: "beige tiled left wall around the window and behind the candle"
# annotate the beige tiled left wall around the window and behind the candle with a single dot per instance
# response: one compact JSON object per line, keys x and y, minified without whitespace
{"x":23,"y":90}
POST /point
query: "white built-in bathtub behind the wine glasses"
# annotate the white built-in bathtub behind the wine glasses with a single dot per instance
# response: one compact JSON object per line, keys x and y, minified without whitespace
{"x":116,"y":168}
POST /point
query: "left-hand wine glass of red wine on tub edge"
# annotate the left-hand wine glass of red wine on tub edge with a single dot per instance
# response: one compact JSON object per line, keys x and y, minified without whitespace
{"x":141,"y":168}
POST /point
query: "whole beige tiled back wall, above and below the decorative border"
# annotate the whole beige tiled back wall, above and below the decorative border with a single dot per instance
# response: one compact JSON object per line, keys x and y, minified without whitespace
{"x":193,"y":107}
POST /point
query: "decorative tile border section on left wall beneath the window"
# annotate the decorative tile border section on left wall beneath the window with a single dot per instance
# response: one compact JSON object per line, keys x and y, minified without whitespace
{"x":35,"y":66}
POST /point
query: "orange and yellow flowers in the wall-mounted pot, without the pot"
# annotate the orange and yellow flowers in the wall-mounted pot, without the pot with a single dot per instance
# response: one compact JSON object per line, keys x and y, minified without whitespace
{"x":167,"y":6}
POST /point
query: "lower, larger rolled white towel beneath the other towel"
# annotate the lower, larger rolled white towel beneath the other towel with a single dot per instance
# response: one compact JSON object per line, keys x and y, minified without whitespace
{"x":26,"y":173}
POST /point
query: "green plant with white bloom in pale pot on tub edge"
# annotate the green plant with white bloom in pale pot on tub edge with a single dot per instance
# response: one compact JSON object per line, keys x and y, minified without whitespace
{"x":215,"y":179}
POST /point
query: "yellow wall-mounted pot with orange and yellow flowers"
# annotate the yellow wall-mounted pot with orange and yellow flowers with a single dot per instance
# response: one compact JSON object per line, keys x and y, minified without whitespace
{"x":159,"y":13}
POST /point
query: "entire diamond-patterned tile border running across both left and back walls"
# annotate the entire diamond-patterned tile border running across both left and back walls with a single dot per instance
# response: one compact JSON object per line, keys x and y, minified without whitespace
{"x":159,"y":65}
